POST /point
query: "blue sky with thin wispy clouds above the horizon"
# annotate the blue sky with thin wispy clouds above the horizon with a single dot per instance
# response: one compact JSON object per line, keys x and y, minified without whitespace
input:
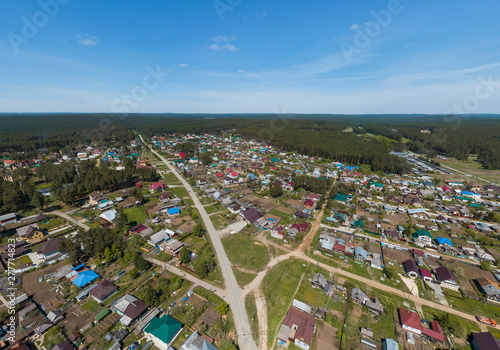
{"x":242,"y":56}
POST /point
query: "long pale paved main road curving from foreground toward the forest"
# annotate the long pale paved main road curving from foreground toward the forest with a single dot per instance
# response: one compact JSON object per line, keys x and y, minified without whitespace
{"x":243,"y":329}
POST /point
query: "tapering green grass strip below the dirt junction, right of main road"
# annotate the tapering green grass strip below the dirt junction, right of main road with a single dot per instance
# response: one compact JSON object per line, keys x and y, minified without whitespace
{"x":279,"y":286}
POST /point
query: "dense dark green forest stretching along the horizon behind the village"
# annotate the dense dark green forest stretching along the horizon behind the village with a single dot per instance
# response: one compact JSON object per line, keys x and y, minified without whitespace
{"x":351,"y":139}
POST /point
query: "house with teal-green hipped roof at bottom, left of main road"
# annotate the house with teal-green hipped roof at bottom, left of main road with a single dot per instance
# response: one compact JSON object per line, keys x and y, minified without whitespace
{"x":163,"y":331}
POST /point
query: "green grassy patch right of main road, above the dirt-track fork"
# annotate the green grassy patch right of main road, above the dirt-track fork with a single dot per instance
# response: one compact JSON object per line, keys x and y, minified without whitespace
{"x":245,"y":252}
